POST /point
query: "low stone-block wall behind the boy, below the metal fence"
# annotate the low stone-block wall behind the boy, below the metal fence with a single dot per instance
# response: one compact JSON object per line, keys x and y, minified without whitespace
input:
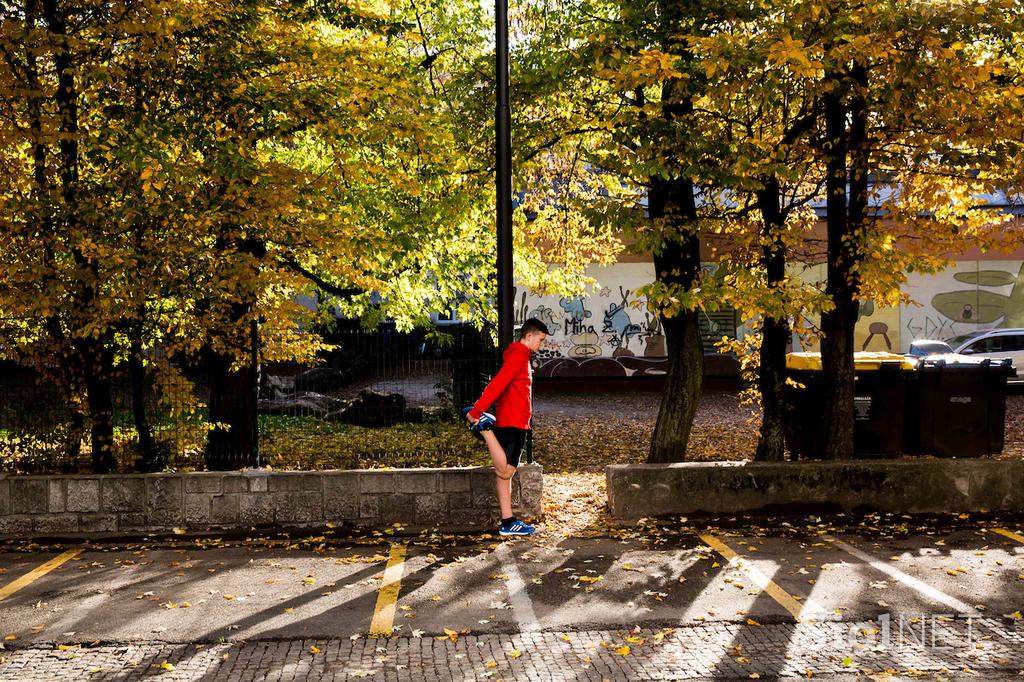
{"x":456,"y":498}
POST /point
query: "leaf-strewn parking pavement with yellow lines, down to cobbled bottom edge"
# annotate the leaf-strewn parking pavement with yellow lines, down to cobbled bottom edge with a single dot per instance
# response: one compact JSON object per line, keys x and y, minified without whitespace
{"x":879,"y":600}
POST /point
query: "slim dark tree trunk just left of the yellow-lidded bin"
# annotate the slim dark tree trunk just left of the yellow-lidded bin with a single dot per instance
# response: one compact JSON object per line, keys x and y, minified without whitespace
{"x":776,"y":330}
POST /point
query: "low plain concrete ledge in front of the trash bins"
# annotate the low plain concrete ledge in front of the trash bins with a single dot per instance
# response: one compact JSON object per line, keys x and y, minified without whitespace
{"x":638,"y":491}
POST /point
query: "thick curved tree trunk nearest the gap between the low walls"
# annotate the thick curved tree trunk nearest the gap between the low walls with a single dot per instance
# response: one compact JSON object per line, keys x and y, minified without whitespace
{"x":677,"y":265}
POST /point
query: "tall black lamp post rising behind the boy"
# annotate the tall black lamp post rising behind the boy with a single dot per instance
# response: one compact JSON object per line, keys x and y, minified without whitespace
{"x":503,"y":146}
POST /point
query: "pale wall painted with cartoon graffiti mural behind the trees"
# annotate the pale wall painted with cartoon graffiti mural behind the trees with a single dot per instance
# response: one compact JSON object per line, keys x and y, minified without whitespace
{"x":611,"y":332}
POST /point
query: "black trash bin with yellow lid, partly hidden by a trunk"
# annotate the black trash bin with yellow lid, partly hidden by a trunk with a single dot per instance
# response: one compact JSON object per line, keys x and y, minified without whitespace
{"x":883,"y":385}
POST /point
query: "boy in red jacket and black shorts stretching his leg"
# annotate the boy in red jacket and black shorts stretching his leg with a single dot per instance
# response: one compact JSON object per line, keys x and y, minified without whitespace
{"x":505,"y":434}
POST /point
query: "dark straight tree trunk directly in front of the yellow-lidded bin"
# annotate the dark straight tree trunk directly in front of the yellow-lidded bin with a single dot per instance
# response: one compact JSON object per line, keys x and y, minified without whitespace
{"x":838,"y":325}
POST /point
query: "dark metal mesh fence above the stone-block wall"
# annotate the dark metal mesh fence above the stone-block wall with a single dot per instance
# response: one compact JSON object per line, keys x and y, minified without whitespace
{"x":313,"y":416}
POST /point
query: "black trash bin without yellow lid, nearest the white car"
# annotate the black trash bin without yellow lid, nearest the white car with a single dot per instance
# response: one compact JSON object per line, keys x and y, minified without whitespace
{"x":960,"y":409}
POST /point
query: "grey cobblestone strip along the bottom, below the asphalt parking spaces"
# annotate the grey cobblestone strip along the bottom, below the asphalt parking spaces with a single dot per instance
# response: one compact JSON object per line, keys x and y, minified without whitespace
{"x":984,"y":649}
